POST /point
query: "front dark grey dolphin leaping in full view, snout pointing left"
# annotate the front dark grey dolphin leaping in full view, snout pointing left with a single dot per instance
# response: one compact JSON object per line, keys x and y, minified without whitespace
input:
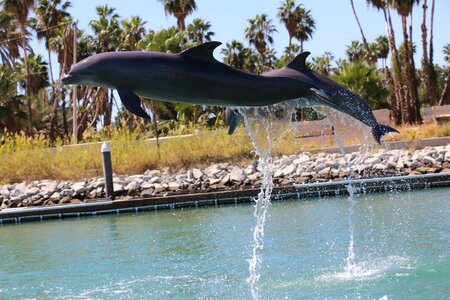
{"x":193,"y":76}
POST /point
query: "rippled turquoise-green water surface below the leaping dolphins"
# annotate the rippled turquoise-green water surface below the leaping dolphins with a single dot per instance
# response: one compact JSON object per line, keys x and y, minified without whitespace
{"x":401,"y":240}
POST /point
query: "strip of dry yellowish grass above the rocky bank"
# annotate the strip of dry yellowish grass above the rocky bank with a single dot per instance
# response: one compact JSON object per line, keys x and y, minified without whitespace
{"x":28,"y":159}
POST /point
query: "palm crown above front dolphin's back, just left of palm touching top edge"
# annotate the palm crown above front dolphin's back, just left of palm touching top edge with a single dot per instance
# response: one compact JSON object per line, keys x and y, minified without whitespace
{"x":133,"y":31}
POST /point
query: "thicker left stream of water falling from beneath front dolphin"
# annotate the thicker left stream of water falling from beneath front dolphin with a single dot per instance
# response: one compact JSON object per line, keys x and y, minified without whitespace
{"x":264,"y":126}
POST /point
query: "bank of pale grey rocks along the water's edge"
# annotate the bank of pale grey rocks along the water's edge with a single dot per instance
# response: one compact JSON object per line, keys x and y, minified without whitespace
{"x":301,"y":168}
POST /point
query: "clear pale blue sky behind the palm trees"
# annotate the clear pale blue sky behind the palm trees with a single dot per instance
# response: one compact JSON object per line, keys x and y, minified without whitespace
{"x":335,"y":24}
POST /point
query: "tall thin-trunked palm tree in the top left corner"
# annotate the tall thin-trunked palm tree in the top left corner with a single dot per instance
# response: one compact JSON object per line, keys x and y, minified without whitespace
{"x":20,"y":9}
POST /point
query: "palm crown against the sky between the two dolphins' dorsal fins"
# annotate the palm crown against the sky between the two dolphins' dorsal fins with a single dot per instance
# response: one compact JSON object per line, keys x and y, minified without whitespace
{"x":259,"y":33}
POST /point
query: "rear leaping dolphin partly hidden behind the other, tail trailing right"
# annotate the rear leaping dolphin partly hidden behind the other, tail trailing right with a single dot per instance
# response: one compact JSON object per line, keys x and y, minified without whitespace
{"x":326,"y":92}
